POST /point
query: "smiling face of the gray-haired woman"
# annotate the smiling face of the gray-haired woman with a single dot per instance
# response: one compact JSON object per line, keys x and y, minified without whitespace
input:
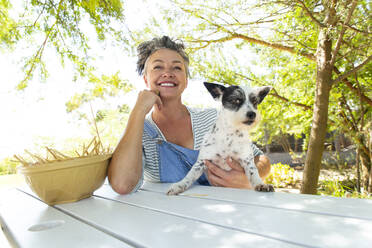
{"x":165,"y":72}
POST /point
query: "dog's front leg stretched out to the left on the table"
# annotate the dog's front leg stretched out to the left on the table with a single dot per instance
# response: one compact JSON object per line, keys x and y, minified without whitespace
{"x":196,"y":171}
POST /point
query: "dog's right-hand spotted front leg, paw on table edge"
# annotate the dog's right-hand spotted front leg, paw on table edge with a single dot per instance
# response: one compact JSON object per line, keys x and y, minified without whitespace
{"x":251,"y":172}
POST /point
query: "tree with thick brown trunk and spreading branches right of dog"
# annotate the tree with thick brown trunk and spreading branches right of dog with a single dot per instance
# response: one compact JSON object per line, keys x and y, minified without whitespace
{"x":332,"y":37}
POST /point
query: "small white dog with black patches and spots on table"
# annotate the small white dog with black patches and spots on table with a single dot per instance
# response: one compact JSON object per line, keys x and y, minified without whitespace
{"x":229,"y":135}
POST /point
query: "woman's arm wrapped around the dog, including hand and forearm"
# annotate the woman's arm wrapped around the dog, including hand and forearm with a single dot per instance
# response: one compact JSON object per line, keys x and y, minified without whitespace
{"x":236,"y":178}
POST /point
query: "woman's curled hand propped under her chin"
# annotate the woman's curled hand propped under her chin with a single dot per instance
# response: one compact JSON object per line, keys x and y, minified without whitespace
{"x":146,"y":100}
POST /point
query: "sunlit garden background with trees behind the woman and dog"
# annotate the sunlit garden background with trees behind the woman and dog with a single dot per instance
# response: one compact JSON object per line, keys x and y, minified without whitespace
{"x":68,"y":64}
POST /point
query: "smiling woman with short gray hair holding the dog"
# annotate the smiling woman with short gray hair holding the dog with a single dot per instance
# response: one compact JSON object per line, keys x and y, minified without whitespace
{"x":162,"y":145}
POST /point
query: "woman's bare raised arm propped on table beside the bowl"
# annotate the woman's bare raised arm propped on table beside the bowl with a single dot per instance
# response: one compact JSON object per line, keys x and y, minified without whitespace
{"x":125,"y":168}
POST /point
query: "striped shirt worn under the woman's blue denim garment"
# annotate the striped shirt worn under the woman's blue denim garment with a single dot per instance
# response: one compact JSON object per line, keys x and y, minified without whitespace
{"x":201,"y":120}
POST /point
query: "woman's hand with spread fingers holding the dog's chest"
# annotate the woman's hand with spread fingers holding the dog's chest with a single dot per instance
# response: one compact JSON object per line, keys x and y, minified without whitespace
{"x":235,"y":178}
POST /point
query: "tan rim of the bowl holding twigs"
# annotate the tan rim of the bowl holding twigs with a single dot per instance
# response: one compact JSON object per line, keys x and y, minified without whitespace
{"x":64,"y":164}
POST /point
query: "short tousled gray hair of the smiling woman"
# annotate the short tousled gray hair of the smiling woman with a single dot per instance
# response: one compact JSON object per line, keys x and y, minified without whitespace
{"x":147,"y":48}
